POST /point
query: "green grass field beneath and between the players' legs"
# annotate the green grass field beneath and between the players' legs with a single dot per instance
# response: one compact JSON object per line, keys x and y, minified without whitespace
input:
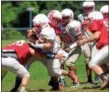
{"x":39,"y":78}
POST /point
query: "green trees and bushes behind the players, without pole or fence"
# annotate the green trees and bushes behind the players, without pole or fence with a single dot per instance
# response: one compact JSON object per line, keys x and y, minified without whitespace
{"x":15,"y":13}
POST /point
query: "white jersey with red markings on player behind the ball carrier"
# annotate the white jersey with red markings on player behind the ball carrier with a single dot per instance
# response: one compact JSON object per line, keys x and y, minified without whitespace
{"x":70,"y":32}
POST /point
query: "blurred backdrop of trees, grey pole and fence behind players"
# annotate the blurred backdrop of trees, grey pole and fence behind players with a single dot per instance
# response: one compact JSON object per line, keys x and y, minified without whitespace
{"x":17,"y":15}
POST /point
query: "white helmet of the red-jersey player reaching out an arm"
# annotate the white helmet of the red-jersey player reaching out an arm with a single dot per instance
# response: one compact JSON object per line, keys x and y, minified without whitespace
{"x":95,"y":15}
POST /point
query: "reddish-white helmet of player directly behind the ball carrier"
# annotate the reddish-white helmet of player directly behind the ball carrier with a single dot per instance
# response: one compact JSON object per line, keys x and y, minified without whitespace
{"x":55,"y":18}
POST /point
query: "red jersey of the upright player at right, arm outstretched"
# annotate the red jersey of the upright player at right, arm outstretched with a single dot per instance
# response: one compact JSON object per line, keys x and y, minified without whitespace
{"x":98,"y":25}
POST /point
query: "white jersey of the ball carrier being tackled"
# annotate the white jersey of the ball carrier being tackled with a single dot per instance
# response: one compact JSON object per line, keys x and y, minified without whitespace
{"x":49,"y":34}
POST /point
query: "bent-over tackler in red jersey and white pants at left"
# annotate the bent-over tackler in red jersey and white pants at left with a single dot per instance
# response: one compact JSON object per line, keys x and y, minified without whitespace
{"x":14,"y":57}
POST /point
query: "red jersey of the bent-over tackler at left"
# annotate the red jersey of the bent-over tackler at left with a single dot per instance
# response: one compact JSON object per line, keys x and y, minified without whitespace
{"x":22,"y":50}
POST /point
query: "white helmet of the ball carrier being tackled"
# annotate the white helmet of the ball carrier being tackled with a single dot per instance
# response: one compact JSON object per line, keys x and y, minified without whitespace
{"x":40,"y":21}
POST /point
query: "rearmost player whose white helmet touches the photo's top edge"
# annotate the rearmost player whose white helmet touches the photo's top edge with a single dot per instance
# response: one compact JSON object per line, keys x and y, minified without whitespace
{"x":88,"y":6}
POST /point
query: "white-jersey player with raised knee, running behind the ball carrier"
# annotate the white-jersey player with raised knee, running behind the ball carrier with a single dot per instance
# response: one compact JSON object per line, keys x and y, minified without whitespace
{"x":71,"y":33}
